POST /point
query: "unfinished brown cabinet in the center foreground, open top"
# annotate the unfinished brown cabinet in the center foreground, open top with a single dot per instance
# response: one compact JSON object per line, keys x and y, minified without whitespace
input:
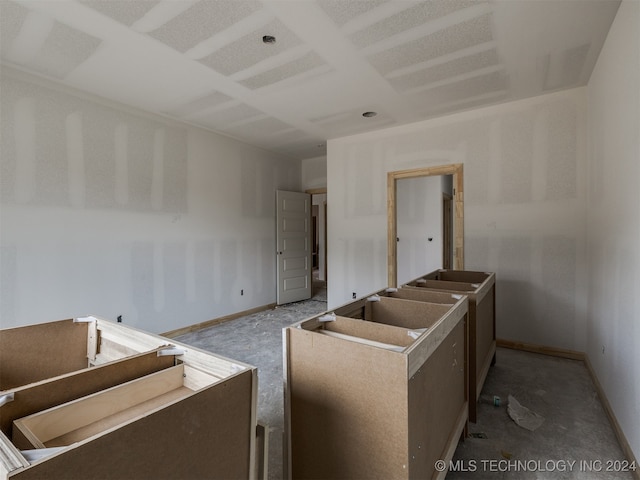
{"x":383,"y":397}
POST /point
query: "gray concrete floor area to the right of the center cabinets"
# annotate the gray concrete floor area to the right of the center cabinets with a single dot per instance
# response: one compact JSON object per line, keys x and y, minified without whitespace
{"x":575,"y":428}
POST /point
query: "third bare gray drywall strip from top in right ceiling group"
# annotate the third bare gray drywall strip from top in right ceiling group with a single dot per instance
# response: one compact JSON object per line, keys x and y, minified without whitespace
{"x":462,"y":35}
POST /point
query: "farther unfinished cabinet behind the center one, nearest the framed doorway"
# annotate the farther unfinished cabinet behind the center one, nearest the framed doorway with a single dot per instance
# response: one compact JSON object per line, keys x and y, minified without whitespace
{"x":479,"y":287}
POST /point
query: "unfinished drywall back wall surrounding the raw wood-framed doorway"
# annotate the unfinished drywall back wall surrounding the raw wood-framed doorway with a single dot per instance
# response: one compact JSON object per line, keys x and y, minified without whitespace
{"x":524,"y":179}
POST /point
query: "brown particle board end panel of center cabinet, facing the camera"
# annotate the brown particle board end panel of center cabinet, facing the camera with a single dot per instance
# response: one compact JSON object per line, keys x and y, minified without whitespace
{"x":348,"y":409}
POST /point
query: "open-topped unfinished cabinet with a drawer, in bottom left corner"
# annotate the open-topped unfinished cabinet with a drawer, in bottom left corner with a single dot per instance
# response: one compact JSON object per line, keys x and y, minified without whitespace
{"x":95,"y":399}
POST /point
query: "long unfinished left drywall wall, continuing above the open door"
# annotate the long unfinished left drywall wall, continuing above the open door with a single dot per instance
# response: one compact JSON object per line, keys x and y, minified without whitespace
{"x":111,"y":211}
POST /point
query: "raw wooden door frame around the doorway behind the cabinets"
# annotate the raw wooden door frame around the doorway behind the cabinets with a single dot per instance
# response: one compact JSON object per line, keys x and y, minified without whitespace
{"x":392,"y":222}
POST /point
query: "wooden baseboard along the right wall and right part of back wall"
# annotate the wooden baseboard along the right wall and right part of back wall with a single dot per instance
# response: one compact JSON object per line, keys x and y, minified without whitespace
{"x":574,"y":355}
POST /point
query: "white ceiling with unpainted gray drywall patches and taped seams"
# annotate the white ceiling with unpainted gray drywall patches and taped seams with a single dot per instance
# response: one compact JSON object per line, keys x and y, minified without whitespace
{"x":204,"y":61}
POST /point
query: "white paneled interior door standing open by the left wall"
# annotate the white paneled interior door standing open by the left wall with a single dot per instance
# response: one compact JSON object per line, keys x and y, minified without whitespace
{"x":293,"y":243}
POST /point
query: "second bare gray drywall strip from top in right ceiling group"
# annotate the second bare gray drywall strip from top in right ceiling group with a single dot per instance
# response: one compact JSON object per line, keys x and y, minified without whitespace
{"x":406,"y":19}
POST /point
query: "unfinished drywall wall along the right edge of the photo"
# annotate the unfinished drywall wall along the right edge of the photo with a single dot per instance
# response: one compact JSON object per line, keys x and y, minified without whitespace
{"x":613,"y":314}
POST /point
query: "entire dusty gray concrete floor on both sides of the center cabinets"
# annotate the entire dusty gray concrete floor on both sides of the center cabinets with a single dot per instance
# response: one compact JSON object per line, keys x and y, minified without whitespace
{"x":575,"y":429}
